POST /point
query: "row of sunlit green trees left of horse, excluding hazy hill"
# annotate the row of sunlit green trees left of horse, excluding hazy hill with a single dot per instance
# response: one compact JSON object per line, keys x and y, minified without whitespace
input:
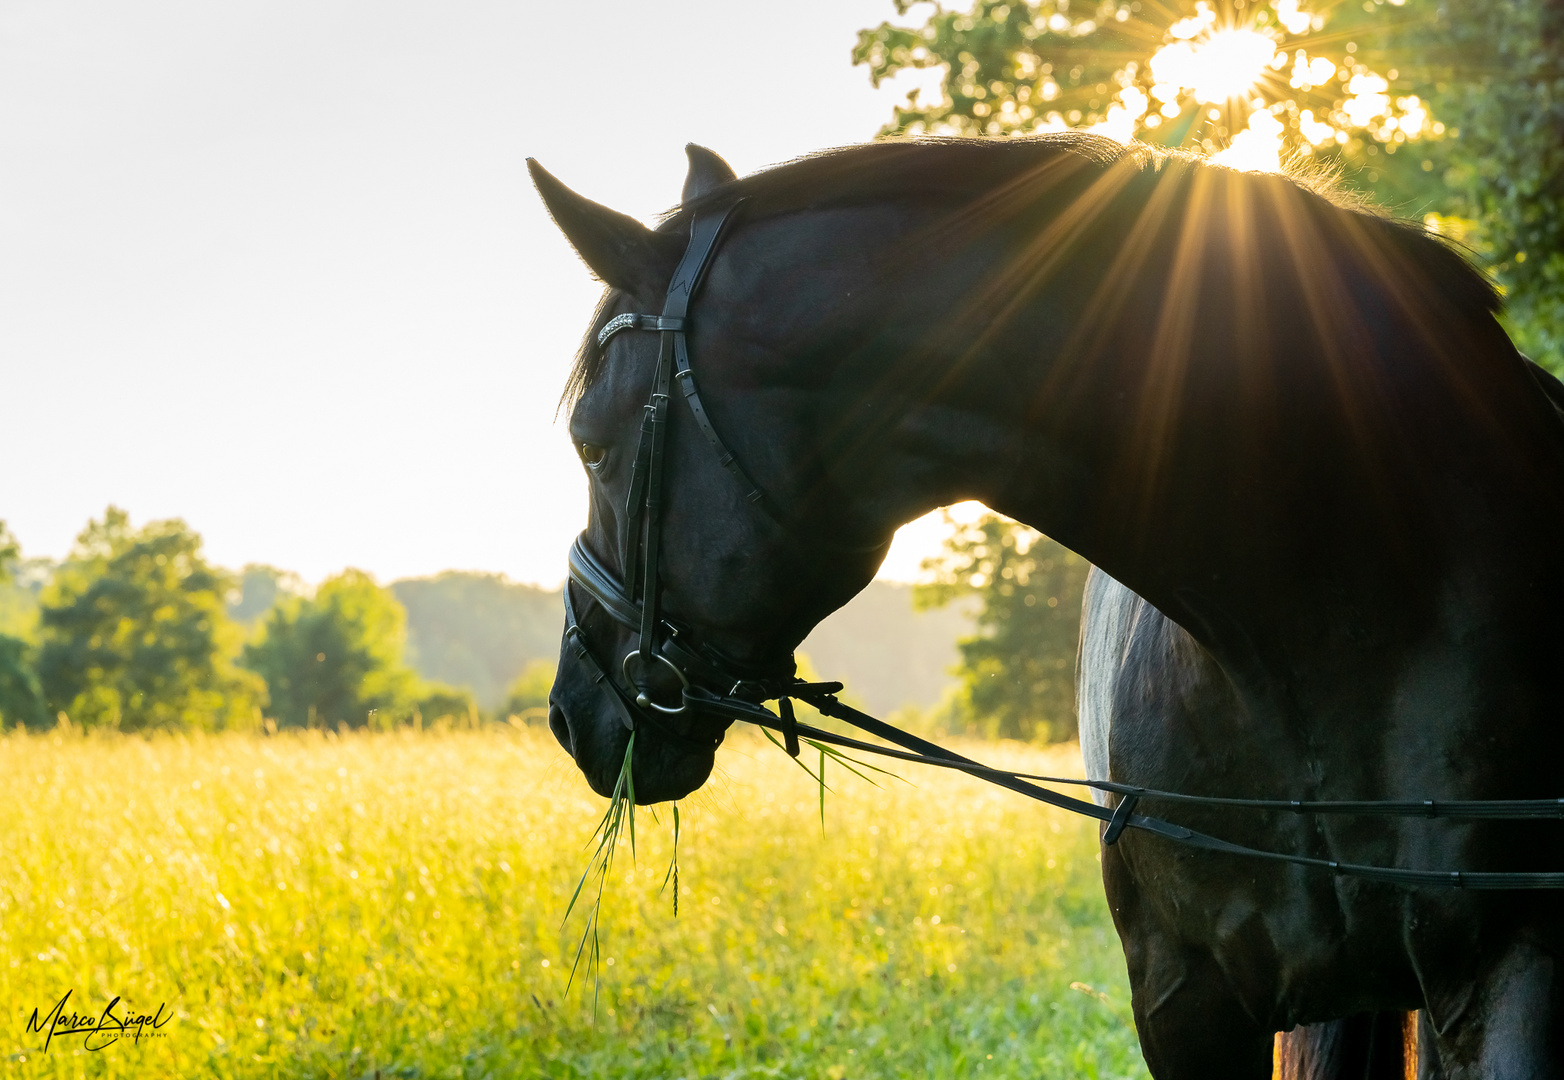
{"x":135,"y":631}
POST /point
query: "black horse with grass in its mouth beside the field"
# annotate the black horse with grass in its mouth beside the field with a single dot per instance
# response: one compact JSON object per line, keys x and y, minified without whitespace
{"x":1293,"y":429}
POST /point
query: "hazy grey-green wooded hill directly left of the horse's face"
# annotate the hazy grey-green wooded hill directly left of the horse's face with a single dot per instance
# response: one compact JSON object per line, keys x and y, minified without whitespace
{"x":479,"y":631}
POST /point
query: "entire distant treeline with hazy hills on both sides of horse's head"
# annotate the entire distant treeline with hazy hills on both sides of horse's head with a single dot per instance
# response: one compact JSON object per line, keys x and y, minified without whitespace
{"x":137,"y":631}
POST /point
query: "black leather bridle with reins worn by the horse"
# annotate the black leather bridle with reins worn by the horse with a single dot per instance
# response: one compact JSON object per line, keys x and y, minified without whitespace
{"x":720,"y":688}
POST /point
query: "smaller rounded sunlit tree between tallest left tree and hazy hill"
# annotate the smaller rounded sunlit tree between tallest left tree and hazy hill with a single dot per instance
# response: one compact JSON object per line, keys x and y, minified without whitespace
{"x":337,"y":657}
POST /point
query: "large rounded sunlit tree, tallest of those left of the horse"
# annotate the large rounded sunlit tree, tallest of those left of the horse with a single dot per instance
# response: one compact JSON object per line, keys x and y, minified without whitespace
{"x":134,"y":634}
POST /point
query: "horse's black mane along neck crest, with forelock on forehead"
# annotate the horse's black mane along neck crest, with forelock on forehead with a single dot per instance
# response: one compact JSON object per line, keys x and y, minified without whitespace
{"x":964,"y":170}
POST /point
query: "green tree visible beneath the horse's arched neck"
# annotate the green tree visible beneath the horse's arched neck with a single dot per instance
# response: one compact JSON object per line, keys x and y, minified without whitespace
{"x":1019,"y":670}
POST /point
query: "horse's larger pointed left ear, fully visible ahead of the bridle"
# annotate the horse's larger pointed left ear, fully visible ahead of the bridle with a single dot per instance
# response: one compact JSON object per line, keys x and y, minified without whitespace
{"x":617,"y":248}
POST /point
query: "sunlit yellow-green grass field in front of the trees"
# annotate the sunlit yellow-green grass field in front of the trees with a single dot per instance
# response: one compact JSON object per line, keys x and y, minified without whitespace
{"x":340,"y":907}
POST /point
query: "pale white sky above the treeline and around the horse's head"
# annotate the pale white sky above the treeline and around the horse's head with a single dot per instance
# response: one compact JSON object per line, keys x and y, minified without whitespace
{"x":278,"y":268}
